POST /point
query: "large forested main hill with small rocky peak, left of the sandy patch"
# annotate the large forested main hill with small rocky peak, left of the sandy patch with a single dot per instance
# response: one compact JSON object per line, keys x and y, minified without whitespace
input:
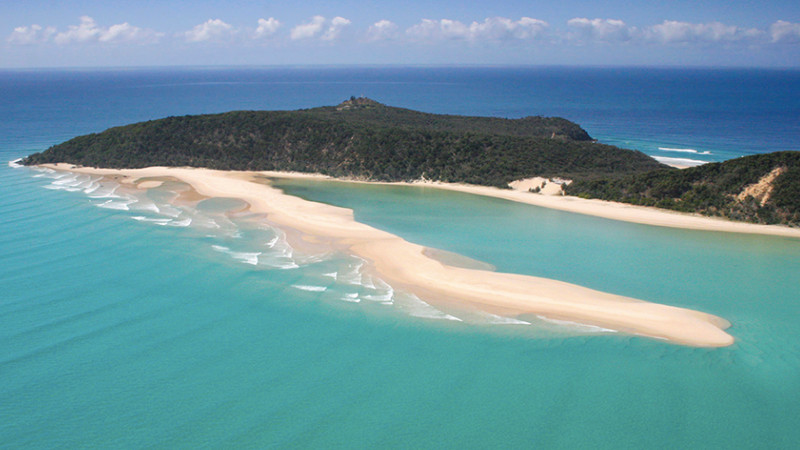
{"x":359,"y":138}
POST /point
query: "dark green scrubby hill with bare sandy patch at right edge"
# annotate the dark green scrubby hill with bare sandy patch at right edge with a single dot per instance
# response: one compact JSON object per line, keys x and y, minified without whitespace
{"x":758,"y":188}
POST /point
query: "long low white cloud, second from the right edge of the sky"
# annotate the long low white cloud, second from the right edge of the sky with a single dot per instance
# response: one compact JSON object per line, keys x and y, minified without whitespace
{"x":671,"y":31}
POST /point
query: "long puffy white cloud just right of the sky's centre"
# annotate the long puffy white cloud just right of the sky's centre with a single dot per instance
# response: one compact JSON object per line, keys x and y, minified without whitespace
{"x":492,"y":28}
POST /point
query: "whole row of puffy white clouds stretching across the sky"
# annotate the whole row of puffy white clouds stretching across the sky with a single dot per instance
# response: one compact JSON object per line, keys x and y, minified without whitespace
{"x":578,"y":31}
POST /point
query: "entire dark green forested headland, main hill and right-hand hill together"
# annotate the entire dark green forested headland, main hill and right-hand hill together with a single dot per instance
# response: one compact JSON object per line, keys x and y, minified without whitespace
{"x":363,"y":139}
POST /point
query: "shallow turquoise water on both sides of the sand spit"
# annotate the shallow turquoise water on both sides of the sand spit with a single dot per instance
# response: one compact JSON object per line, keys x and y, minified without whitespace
{"x":120,"y":332}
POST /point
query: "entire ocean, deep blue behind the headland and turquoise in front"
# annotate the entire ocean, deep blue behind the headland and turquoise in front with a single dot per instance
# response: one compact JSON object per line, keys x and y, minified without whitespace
{"x":135,"y":319}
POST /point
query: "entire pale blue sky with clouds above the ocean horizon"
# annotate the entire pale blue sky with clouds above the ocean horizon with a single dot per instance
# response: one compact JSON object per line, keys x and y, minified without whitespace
{"x":113,"y":33}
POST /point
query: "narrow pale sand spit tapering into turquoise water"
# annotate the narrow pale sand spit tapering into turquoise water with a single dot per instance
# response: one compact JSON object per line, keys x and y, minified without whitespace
{"x":406,"y":265}
